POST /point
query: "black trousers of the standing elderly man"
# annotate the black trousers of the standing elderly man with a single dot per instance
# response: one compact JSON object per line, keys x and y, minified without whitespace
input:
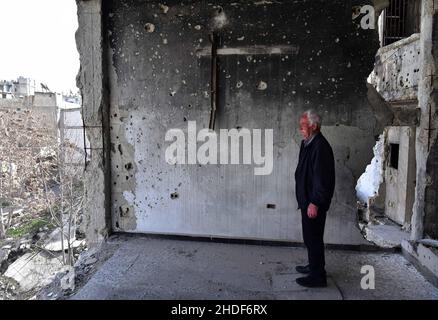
{"x":313,"y":236}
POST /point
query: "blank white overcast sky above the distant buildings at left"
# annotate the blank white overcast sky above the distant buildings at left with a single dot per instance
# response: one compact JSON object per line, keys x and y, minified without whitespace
{"x":38,"y":41}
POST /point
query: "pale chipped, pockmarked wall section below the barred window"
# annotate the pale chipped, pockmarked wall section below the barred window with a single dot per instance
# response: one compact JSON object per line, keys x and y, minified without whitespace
{"x":396,"y":72}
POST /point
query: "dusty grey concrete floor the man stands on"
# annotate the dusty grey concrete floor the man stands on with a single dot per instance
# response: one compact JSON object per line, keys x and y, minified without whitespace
{"x":151,"y":268}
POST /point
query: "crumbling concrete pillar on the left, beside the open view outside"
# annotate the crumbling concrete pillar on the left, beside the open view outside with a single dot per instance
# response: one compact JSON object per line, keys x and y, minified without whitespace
{"x":91,"y":82}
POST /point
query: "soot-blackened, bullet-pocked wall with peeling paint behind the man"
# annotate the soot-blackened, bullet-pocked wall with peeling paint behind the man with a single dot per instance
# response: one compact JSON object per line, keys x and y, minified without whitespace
{"x":159,"y":78}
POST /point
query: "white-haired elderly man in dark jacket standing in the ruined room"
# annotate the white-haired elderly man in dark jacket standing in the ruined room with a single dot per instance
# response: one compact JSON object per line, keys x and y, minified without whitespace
{"x":315,"y":183}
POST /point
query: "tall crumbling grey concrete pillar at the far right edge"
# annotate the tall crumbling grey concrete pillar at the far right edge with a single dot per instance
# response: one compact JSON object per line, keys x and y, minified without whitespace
{"x":427,"y":132}
